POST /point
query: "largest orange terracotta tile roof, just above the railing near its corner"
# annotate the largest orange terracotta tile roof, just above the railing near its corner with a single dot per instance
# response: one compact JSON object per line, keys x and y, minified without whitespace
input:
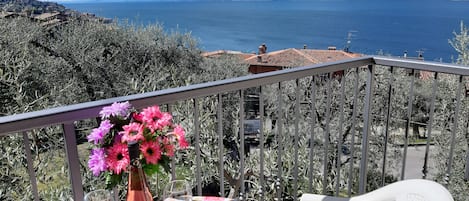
{"x":299,"y":57}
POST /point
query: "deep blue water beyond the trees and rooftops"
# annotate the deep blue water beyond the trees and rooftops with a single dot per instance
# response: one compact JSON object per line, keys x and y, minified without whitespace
{"x":387,"y":26}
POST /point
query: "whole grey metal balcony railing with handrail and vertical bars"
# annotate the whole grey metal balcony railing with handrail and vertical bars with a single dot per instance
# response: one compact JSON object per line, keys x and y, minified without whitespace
{"x":67,"y":115}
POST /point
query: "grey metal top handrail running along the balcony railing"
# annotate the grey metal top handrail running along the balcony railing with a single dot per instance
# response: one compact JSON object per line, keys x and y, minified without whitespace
{"x":70,"y":113}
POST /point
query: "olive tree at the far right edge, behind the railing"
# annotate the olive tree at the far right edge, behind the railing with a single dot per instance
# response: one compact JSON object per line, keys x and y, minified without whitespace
{"x":457,"y":182}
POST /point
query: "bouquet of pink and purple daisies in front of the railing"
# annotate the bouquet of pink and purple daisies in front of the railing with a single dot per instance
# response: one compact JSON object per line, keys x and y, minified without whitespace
{"x":157,"y":136}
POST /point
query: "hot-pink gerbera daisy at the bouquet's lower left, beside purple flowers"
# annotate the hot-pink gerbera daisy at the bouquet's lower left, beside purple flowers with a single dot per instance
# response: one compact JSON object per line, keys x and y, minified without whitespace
{"x":118,"y":158}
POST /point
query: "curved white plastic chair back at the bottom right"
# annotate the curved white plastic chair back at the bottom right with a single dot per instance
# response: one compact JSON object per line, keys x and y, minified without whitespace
{"x":406,"y":190}
